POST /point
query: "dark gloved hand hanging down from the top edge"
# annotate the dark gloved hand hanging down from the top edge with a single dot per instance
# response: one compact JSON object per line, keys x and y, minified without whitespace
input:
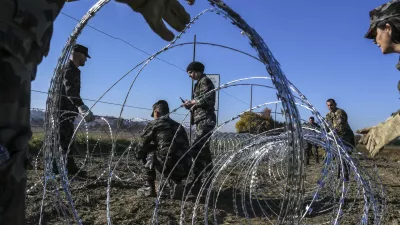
{"x":154,"y":11}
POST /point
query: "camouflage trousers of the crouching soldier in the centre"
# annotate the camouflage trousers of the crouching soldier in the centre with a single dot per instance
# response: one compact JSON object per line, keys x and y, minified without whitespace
{"x":154,"y":162}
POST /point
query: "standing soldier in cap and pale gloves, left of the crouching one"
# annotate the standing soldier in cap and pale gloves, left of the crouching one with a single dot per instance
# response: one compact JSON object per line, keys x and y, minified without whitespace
{"x":71,"y":101}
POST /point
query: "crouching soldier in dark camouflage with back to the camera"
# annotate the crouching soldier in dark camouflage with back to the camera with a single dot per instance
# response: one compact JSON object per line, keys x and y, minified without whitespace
{"x":155,"y":142}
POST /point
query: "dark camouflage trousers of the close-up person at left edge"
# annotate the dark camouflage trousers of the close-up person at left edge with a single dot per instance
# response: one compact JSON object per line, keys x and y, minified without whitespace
{"x":15,"y":133}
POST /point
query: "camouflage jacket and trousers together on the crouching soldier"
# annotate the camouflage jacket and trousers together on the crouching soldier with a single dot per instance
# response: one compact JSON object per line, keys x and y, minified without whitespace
{"x":153,"y":146}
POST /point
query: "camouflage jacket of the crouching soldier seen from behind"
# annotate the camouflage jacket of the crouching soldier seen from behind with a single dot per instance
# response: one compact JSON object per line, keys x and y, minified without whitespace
{"x":160,"y":133}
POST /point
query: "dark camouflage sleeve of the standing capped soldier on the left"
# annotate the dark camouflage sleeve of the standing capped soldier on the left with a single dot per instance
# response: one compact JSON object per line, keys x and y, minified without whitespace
{"x":72,"y":88}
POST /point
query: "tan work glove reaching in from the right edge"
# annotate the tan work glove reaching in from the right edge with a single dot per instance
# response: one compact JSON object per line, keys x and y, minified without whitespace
{"x":376,"y":137}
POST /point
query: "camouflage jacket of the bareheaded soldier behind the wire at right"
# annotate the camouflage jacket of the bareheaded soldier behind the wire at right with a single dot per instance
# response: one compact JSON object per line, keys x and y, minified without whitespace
{"x":338,"y":119}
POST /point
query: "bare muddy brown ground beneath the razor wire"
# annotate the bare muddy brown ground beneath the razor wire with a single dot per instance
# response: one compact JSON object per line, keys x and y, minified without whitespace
{"x":90,"y":197}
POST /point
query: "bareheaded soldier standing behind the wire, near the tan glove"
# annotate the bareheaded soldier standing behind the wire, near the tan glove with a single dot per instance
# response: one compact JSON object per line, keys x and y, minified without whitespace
{"x":337,"y":118}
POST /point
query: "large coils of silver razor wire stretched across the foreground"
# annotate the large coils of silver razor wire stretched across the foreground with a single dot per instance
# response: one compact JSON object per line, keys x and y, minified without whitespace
{"x":266,"y":171}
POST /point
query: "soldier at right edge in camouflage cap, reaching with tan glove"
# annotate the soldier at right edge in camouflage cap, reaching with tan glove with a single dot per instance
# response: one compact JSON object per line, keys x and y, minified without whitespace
{"x":385,"y":31}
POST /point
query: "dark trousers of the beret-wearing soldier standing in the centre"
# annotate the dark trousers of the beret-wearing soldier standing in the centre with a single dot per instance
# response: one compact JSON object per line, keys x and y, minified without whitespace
{"x":201,"y":148}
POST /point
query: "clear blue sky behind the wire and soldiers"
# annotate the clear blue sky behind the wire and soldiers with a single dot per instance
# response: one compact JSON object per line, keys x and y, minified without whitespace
{"x":321,"y":49}
